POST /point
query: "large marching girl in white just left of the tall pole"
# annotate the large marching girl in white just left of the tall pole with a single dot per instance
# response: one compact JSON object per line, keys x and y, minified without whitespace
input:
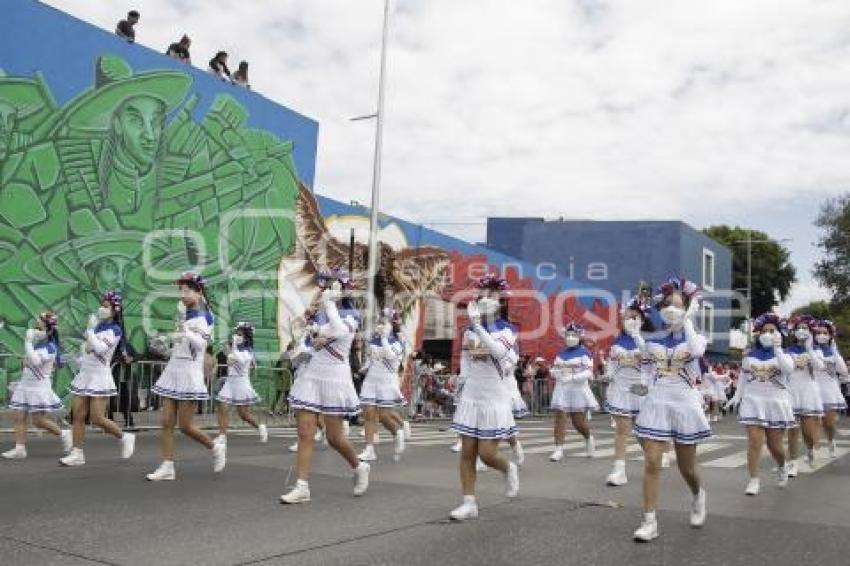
{"x":325,"y":386}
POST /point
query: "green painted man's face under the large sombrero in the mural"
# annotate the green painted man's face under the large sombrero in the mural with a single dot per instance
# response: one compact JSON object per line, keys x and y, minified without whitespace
{"x":140,"y":122}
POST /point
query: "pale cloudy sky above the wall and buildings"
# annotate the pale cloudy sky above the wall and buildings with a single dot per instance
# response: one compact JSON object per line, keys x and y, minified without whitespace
{"x":722,"y":112}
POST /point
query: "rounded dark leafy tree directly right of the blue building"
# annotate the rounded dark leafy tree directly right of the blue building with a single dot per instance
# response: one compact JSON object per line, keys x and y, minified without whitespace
{"x":772,"y":272}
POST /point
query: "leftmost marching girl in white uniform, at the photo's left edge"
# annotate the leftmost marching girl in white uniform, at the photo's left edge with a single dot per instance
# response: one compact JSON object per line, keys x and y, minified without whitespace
{"x":34,"y":392}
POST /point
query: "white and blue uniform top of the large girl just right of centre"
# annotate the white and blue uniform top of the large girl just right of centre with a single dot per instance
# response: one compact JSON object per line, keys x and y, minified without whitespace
{"x":490,"y":354}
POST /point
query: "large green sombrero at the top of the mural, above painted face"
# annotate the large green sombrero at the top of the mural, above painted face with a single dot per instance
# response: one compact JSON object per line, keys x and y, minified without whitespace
{"x":115,"y":83}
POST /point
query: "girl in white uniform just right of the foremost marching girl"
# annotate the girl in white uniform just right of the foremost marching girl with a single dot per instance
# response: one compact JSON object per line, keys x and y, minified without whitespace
{"x":765,"y":402}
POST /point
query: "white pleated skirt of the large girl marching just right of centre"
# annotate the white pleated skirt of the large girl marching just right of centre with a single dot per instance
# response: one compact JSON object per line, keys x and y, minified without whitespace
{"x":485,"y":410}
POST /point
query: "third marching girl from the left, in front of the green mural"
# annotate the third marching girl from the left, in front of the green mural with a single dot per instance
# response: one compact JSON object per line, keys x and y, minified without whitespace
{"x":181,"y":384}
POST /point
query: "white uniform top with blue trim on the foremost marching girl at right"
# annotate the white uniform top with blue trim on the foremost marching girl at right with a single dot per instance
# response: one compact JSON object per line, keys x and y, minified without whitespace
{"x":674,"y":358}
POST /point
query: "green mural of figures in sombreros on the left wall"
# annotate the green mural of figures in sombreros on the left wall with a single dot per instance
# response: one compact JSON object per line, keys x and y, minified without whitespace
{"x":123,"y":188}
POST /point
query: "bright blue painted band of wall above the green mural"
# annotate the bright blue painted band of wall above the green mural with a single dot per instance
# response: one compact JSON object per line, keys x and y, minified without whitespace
{"x":33,"y":39}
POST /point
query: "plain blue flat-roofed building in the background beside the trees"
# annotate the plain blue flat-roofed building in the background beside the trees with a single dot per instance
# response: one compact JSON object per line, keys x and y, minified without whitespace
{"x":615,"y":256}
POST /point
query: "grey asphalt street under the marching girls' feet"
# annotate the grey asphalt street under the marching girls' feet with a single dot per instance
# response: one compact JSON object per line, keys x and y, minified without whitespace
{"x":106,"y":513}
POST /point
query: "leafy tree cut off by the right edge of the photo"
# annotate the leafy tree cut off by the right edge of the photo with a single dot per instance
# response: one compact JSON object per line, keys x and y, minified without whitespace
{"x":833,"y":271}
